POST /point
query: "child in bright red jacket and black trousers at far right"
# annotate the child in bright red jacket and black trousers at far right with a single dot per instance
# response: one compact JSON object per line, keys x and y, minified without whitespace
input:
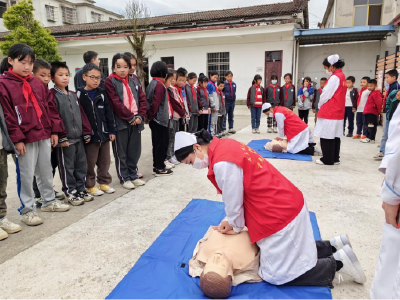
{"x":372,"y":109}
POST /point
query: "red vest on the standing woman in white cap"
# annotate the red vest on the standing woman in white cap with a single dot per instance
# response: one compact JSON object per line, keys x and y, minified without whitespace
{"x":335,"y":107}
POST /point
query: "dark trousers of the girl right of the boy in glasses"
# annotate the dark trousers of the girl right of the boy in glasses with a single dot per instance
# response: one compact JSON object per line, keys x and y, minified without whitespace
{"x":127,"y":149}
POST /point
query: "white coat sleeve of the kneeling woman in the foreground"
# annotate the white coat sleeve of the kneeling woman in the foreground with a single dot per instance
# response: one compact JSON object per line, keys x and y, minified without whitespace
{"x":229,"y":178}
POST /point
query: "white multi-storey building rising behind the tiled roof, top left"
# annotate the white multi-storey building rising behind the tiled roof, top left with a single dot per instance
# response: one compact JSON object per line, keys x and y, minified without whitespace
{"x":64,"y":12}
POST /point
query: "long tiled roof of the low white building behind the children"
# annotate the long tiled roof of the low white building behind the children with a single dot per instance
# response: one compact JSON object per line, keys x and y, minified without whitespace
{"x":251,"y":12}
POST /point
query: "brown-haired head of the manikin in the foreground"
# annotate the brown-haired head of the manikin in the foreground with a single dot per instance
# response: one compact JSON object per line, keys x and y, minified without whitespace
{"x":216,"y":279}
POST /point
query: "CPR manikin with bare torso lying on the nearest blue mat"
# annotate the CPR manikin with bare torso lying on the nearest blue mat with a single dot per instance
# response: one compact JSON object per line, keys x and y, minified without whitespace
{"x":224,"y":260}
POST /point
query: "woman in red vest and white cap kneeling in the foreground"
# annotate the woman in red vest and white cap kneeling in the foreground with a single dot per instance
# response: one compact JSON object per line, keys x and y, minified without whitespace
{"x":258,"y":196}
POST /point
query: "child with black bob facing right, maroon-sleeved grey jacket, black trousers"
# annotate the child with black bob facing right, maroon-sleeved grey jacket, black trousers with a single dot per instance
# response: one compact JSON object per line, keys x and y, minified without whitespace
{"x":158,"y":116}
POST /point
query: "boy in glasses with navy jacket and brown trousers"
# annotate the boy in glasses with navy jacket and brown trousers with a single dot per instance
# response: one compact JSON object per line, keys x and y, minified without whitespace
{"x":96,"y":106}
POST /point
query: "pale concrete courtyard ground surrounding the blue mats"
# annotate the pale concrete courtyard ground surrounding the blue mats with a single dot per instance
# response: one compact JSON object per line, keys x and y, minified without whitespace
{"x":85,"y":252}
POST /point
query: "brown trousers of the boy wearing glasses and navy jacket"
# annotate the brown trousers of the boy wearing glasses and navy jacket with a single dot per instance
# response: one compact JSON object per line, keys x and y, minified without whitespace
{"x":98,"y":154}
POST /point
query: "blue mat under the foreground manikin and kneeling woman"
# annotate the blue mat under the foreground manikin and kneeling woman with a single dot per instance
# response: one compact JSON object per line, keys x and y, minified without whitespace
{"x":162,"y":272}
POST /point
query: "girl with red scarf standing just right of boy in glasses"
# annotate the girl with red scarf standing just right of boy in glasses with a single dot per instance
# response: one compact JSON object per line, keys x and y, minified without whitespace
{"x":127,"y":101}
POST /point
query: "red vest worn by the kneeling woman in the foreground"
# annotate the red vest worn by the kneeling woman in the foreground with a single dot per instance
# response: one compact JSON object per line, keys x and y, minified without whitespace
{"x":270,"y":200}
